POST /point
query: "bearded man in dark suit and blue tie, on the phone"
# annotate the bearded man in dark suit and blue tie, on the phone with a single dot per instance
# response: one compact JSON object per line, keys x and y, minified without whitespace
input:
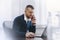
{"x":26,"y":22}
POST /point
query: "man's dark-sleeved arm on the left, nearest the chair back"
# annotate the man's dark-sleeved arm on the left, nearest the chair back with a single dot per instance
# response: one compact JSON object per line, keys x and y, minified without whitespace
{"x":16,"y":27}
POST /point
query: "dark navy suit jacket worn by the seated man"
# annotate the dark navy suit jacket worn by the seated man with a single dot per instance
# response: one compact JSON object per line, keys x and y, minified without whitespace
{"x":20,"y":26}
